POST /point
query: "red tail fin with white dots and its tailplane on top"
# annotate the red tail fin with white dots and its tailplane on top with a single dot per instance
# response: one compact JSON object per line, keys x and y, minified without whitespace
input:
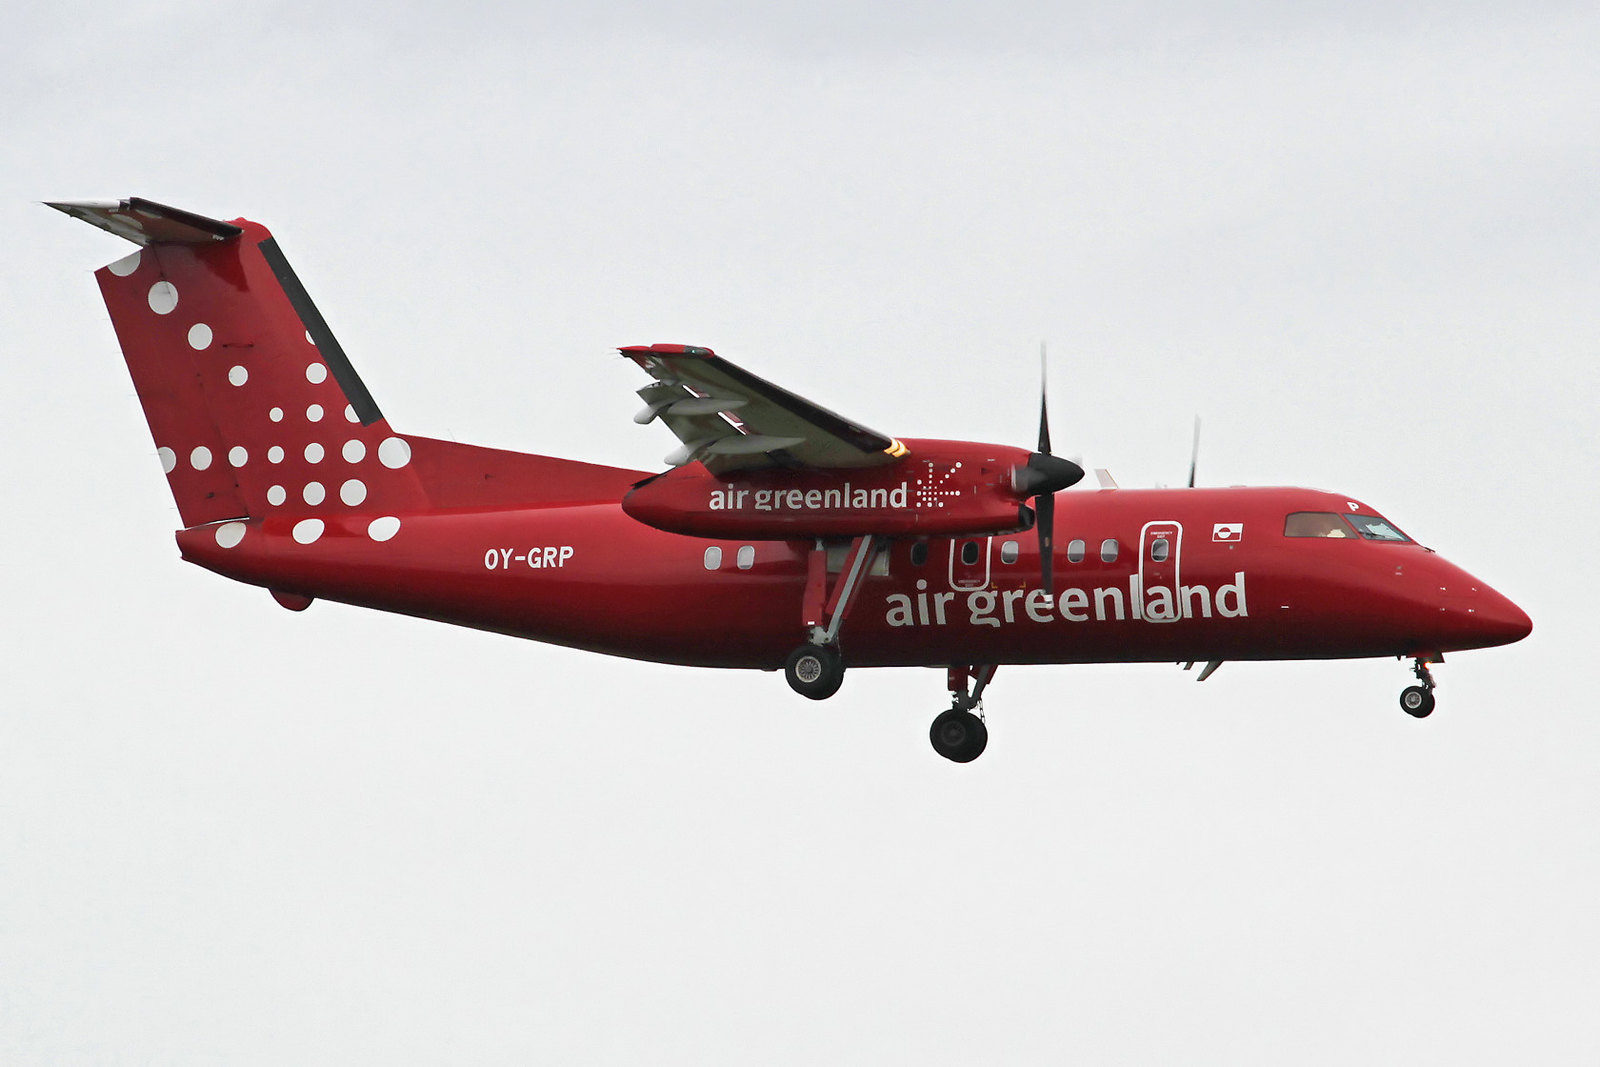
{"x":252,"y":402}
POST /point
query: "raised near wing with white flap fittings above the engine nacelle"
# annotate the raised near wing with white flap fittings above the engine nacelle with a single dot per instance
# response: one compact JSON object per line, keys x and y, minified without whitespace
{"x":730,"y":420}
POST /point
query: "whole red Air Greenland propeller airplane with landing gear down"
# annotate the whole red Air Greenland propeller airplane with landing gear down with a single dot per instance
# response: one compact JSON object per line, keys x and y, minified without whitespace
{"x":782,"y":537}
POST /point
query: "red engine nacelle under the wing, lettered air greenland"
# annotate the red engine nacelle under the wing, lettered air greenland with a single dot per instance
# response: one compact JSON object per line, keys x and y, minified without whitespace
{"x":938,"y":489}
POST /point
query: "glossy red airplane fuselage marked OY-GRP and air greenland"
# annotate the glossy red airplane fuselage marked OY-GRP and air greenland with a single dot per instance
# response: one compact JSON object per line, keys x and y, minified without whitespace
{"x":1231,"y":586}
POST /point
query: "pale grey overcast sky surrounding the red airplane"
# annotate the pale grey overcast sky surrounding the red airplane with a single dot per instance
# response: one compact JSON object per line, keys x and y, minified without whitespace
{"x":1359,"y":242}
